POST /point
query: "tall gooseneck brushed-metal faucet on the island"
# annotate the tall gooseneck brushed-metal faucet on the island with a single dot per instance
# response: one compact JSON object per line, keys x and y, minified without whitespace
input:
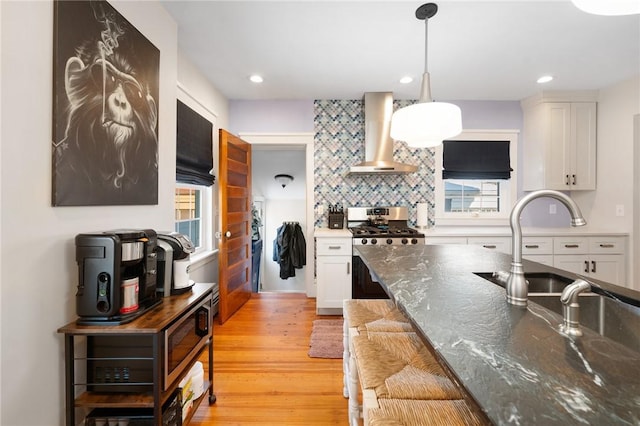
{"x":517,"y":288}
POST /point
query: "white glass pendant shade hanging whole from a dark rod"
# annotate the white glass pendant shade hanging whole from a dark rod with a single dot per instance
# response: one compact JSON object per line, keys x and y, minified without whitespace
{"x":426,"y":124}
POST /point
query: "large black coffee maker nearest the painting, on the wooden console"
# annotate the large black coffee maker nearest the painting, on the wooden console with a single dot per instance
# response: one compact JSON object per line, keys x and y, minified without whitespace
{"x":116,"y":275}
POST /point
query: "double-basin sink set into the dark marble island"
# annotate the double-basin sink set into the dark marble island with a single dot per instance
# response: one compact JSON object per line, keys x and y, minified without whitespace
{"x":606,"y":313}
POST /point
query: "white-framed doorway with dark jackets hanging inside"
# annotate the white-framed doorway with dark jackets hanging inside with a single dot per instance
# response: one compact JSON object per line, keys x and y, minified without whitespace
{"x":290,"y":154}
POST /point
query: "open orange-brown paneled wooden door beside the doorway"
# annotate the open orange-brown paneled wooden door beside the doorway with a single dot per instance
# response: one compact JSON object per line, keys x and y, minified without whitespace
{"x":235,"y":236}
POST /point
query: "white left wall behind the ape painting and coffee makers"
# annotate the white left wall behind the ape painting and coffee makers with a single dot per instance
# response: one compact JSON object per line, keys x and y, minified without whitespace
{"x":37,"y":293}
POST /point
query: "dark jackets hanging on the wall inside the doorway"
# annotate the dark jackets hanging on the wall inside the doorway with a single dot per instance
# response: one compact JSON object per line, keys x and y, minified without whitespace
{"x":290,"y":249}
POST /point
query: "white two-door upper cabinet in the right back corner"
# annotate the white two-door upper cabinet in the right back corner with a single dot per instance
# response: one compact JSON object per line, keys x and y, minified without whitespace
{"x":560,"y":141}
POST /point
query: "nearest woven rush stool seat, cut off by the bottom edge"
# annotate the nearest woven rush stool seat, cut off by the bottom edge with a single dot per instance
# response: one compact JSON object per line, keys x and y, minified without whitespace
{"x":408,"y":412}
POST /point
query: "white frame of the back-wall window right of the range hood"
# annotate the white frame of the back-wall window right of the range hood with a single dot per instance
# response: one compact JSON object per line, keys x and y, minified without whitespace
{"x":509,"y":190}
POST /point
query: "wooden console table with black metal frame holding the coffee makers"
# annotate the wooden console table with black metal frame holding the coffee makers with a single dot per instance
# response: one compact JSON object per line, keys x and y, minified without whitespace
{"x":151,"y":326}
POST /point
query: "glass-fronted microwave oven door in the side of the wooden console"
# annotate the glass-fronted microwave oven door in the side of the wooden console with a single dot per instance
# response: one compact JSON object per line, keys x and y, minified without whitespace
{"x":185,"y":338}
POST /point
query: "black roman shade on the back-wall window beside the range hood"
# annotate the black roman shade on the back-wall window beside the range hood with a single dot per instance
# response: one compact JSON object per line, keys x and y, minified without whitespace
{"x":476,"y":160}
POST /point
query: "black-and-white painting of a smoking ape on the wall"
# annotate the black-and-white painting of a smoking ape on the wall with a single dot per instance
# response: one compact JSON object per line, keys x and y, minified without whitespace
{"x":105,"y":111}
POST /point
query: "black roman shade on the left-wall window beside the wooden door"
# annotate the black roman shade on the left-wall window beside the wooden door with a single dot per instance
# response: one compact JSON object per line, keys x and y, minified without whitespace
{"x":194,"y":156}
